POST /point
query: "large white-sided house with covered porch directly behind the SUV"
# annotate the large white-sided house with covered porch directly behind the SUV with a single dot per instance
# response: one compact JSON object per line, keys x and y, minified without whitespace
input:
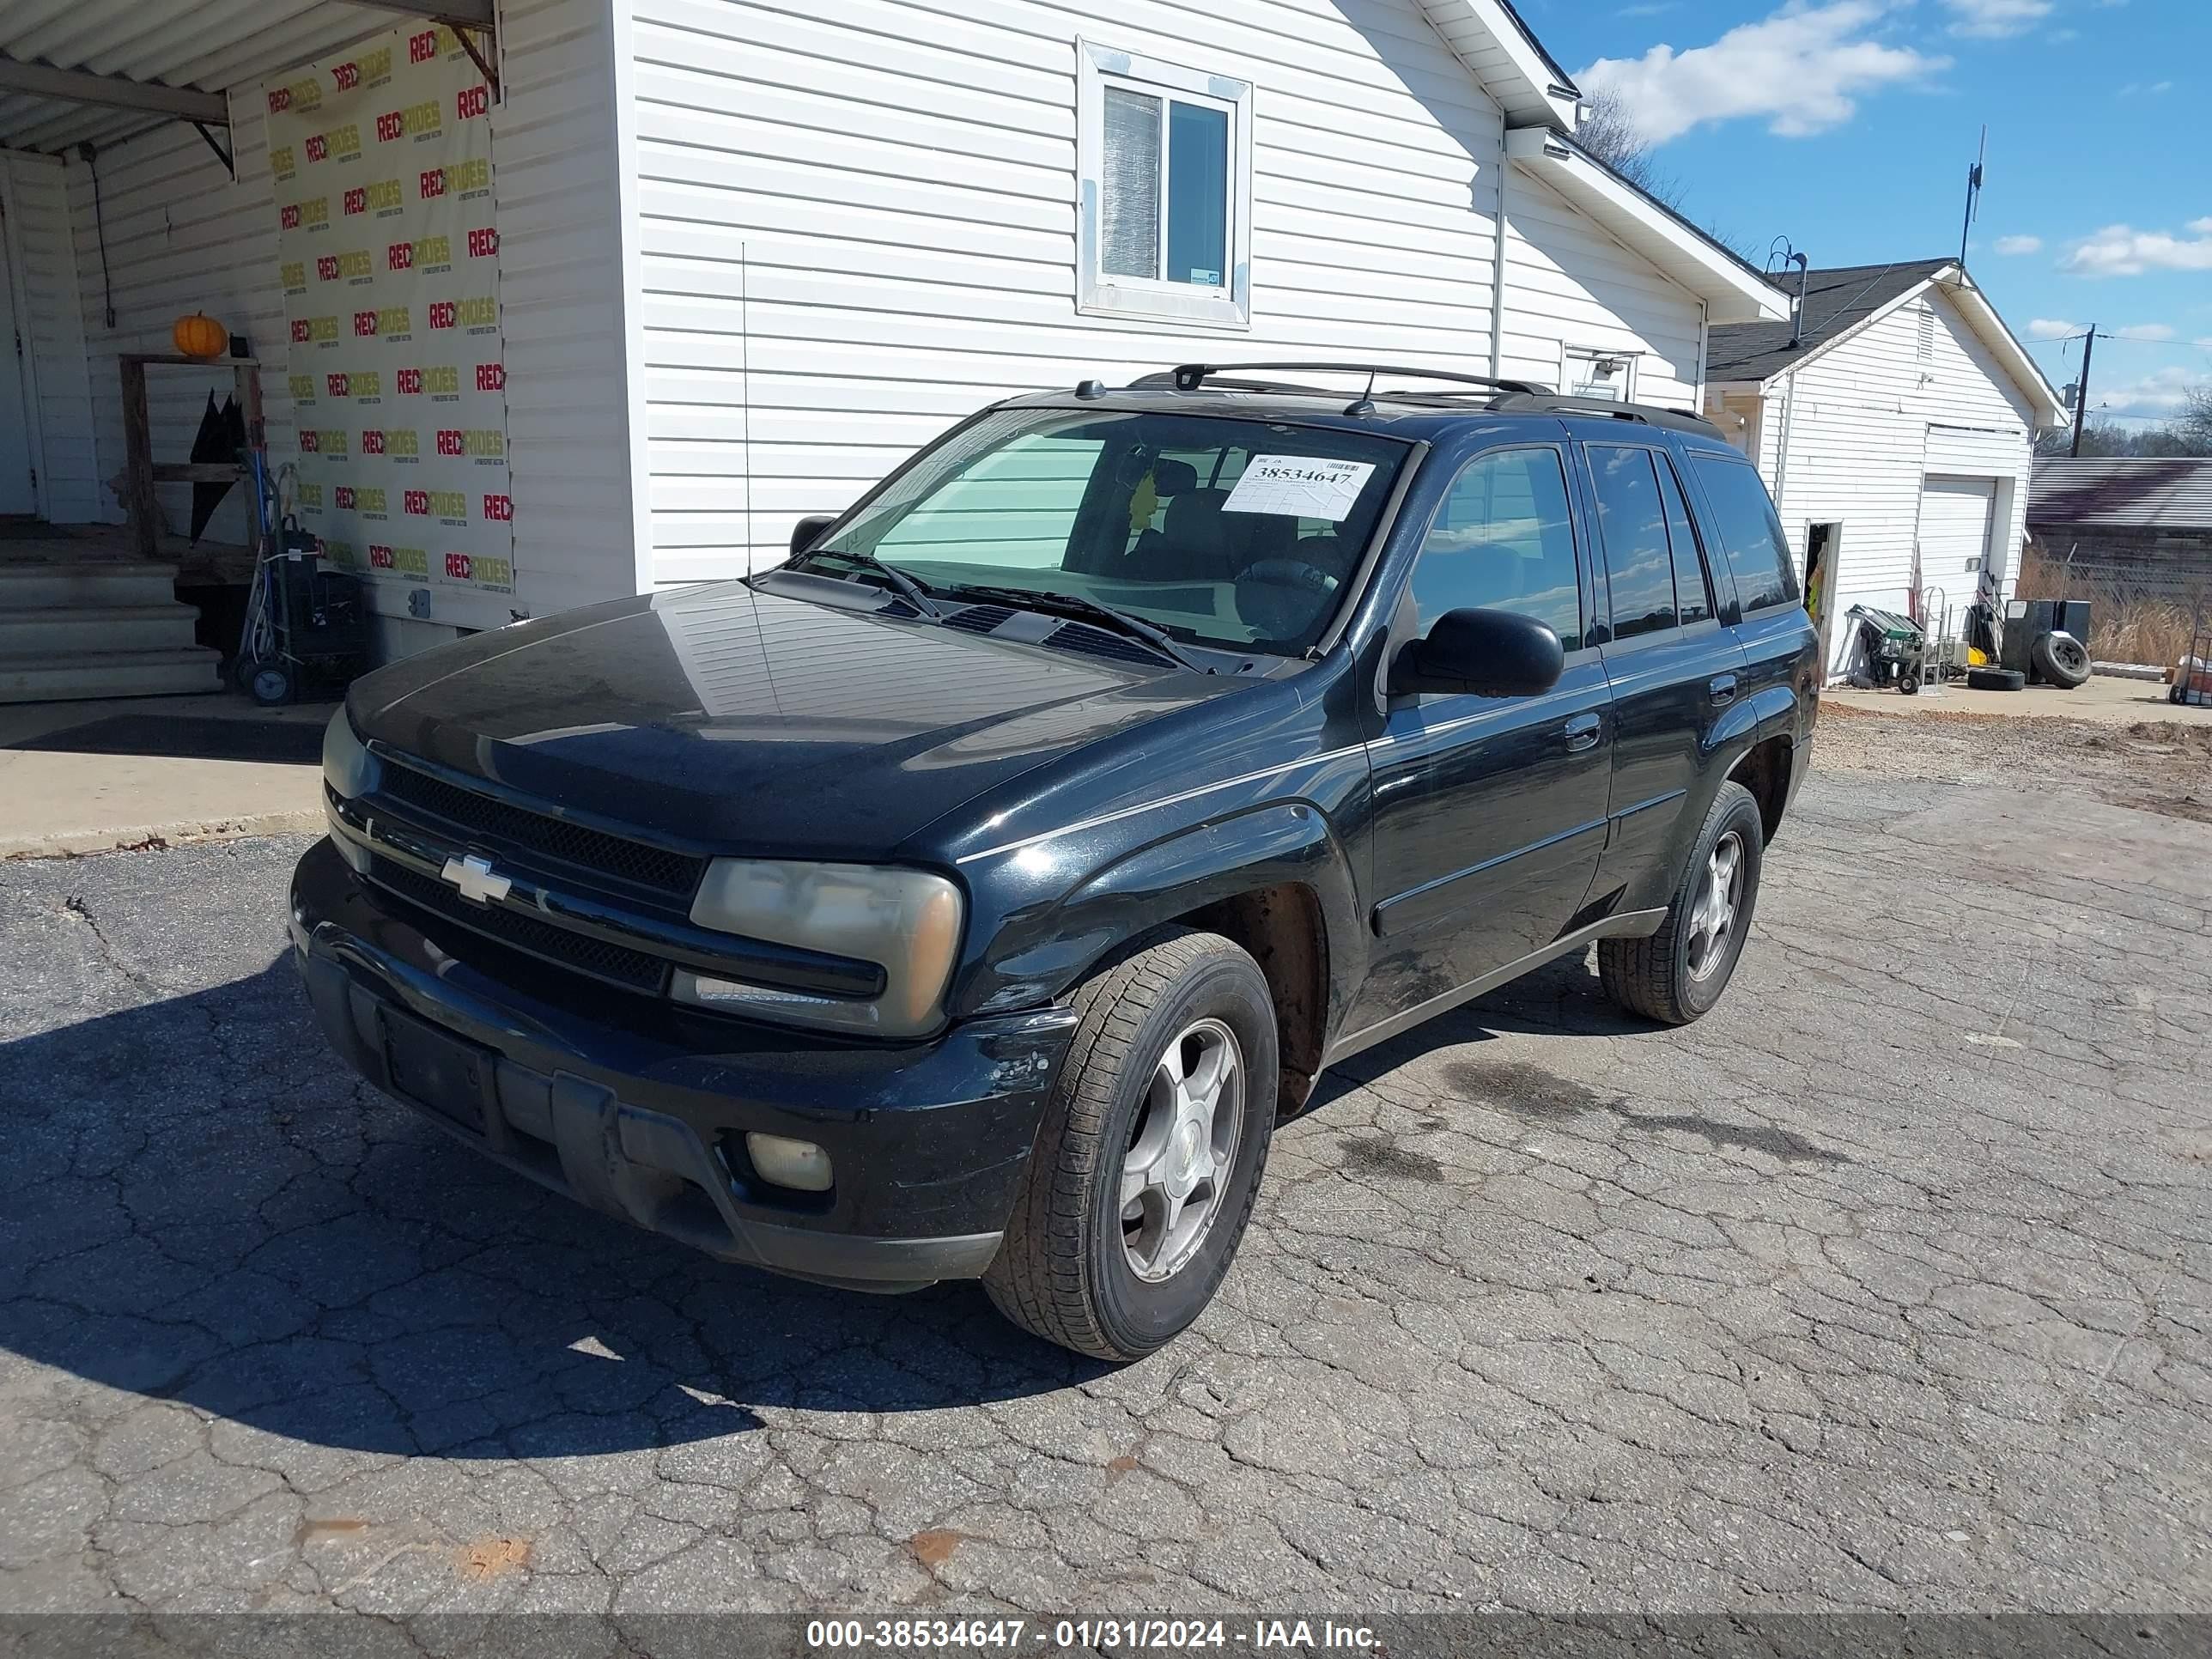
{"x":753,"y":255}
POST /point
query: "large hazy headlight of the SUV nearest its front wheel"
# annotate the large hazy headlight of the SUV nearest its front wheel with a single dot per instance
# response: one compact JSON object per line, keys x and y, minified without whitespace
{"x":906,"y":921}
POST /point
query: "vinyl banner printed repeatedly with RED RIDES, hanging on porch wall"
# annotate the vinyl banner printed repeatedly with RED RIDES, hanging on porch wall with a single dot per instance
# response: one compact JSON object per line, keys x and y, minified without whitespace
{"x":390,"y":264}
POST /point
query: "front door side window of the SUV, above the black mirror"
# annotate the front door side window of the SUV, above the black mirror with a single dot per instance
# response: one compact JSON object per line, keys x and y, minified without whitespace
{"x":1505,"y":541}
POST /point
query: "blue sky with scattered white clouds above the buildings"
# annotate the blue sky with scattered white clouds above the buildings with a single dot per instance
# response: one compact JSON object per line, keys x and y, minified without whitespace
{"x":1848,"y":127}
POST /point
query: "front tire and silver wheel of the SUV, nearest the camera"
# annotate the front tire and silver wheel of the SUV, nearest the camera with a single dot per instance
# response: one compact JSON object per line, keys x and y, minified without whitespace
{"x":1072,"y":1271}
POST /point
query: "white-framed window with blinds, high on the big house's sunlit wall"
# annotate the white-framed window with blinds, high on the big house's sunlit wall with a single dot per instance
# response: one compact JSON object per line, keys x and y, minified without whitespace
{"x":1165,"y":191}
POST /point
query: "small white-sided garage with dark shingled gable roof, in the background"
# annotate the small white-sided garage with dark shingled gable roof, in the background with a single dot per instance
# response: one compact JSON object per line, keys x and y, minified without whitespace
{"x":1906,"y":419}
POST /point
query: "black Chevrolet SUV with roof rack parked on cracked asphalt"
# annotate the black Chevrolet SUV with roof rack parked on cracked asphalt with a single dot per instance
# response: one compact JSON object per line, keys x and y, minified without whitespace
{"x":977,"y":893}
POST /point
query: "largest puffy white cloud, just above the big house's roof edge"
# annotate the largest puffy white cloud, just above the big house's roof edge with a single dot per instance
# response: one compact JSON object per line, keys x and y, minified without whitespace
{"x":1802,"y":67}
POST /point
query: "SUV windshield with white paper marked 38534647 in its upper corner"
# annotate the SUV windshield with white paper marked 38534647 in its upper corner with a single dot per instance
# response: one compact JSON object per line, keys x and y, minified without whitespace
{"x":1238,"y":534}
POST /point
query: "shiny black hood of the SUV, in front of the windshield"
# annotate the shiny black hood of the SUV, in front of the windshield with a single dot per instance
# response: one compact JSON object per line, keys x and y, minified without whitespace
{"x":755,"y":722}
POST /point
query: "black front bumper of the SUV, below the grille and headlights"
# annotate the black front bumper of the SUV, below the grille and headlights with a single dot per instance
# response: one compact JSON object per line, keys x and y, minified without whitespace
{"x":640,"y":1109}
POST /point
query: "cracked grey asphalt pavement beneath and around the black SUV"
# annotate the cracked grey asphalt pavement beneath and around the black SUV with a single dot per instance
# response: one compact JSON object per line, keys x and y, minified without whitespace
{"x":1886,"y":1286}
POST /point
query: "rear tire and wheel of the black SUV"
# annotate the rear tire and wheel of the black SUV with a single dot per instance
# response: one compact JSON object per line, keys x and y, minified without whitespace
{"x":1680,"y":972}
